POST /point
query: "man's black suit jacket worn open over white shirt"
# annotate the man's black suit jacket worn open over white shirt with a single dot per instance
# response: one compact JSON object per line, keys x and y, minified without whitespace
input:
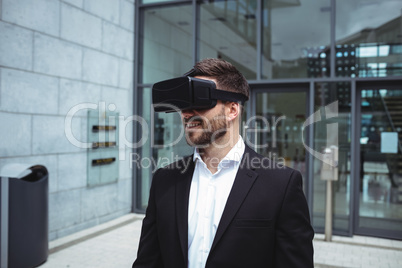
{"x":265,"y":222}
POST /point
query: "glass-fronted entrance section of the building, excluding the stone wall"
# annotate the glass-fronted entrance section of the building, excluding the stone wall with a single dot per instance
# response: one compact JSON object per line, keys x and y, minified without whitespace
{"x":322,"y":73}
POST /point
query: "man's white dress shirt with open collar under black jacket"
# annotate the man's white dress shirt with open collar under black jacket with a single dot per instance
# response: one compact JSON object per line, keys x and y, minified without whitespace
{"x":208,"y":195}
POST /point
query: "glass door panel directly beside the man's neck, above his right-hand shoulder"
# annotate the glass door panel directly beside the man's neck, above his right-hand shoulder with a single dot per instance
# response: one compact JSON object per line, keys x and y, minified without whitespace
{"x":278,"y":120}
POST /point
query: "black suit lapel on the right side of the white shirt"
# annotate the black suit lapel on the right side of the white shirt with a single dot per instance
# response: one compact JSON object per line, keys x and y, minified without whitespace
{"x":244,"y":180}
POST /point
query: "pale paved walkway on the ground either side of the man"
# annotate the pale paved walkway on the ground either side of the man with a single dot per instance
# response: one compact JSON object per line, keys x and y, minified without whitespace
{"x":114,"y":244}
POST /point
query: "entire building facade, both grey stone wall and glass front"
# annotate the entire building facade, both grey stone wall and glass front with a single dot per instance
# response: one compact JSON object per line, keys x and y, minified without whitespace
{"x":75,"y":80}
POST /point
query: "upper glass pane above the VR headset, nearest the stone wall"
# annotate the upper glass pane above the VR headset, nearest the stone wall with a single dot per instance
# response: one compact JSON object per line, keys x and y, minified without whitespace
{"x":166,"y":43}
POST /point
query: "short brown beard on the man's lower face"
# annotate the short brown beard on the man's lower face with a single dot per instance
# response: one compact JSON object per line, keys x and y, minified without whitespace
{"x":209,"y":132}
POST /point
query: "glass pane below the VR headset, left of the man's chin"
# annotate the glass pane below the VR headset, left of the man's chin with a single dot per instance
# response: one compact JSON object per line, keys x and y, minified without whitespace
{"x":164,"y":143}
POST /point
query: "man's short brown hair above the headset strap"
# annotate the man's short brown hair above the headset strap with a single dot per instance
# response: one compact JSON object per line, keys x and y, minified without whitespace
{"x":225,"y":74}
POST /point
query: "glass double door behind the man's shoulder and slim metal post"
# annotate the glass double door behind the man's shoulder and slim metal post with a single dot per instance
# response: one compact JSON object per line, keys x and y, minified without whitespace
{"x":278,"y":115}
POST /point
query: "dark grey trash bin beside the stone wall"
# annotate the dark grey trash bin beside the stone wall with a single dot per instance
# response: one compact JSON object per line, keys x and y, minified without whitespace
{"x":24,"y":216}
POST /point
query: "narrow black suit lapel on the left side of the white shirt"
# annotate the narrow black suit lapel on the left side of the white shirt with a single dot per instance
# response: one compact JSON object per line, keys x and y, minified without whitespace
{"x":182,"y":196}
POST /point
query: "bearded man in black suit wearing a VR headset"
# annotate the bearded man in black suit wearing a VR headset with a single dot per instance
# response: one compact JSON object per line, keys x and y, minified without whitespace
{"x":224,"y":206}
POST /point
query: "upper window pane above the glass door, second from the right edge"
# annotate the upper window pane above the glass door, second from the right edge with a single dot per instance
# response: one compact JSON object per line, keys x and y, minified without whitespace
{"x":296,"y":39}
